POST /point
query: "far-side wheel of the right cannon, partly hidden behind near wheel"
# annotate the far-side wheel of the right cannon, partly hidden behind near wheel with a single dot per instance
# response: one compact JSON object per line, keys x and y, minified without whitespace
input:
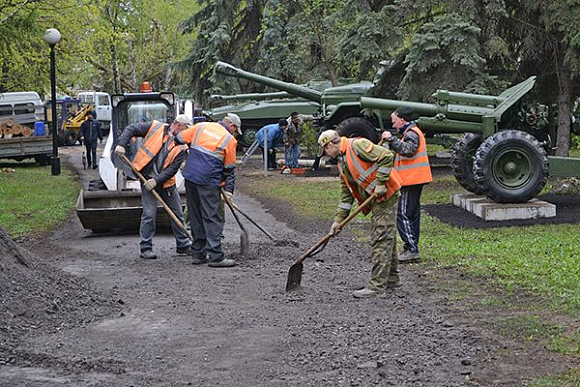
{"x":462,"y":161}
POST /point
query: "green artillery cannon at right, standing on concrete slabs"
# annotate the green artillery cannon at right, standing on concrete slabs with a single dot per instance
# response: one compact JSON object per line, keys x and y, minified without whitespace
{"x":503,"y":151}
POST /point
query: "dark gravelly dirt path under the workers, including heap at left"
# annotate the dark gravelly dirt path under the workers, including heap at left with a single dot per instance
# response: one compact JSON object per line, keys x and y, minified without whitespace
{"x":87,"y":311}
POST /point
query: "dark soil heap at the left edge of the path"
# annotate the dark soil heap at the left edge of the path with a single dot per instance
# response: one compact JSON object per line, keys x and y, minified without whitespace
{"x":35,"y":296}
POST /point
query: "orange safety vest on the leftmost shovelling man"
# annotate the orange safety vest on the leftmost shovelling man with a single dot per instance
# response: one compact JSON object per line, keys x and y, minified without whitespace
{"x":152,"y":144}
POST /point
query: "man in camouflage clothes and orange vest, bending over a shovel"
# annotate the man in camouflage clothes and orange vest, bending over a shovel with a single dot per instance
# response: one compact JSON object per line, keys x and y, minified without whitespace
{"x":366,"y":168}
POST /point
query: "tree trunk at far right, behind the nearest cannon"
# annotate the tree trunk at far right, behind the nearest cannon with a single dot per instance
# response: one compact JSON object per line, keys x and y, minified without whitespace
{"x":564,"y":108}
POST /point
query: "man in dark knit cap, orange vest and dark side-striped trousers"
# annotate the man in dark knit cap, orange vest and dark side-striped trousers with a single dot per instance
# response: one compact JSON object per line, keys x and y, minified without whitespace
{"x":412,"y":163}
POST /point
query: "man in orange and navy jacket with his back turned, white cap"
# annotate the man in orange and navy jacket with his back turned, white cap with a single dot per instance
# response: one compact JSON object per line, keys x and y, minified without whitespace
{"x":210,"y":166}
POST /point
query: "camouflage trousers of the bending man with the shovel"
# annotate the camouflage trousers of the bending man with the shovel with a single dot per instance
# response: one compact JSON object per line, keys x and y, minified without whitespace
{"x":384,"y":256}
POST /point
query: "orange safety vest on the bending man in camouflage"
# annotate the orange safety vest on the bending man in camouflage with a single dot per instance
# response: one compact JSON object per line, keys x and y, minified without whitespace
{"x":365,"y":173}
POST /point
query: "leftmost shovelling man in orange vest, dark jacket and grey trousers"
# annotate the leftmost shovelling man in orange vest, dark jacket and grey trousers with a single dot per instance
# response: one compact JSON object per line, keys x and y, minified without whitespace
{"x":158,"y":159}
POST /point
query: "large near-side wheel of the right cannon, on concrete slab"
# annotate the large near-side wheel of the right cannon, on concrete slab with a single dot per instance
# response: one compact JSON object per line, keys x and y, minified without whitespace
{"x":511,"y":167}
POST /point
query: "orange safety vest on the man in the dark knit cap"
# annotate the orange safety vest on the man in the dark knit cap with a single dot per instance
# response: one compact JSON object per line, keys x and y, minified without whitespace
{"x":414,"y":169}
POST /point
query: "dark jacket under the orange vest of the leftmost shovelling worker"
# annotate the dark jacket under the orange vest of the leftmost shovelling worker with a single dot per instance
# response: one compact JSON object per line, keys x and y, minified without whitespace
{"x":152,"y":170}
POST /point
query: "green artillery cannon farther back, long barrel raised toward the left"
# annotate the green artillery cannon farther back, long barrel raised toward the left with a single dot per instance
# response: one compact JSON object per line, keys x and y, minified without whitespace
{"x":340,"y":105}
